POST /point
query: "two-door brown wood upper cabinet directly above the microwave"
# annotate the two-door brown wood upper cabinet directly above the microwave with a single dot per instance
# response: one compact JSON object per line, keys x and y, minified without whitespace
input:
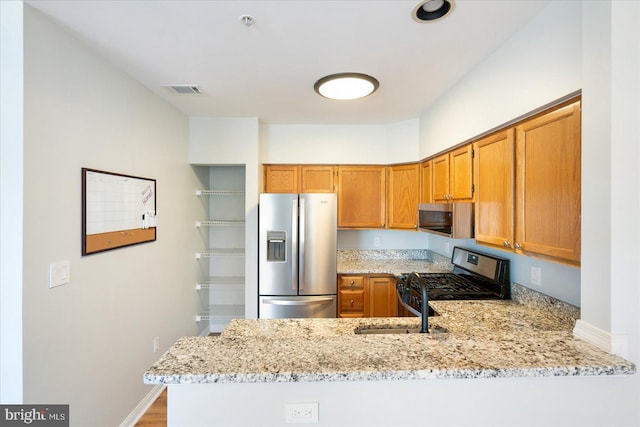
{"x":453,"y":175}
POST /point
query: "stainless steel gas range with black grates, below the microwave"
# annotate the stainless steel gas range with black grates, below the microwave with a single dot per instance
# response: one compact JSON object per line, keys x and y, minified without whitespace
{"x":475,"y":276}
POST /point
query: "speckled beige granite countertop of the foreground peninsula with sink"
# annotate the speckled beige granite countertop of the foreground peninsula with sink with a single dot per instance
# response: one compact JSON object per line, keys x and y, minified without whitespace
{"x":469,"y":339}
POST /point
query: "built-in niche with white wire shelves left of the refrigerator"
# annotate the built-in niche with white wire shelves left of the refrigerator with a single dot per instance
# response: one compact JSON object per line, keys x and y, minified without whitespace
{"x":221,"y":288}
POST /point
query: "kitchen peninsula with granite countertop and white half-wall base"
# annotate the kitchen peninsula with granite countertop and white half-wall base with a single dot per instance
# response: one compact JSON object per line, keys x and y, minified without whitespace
{"x":475,"y":350}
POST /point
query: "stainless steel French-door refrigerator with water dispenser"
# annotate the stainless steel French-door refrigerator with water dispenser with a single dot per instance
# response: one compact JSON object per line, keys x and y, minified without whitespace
{"x":297,"y":255}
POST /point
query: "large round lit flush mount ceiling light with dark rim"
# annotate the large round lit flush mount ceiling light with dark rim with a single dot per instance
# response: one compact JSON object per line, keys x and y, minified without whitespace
{"x":346,"y":86}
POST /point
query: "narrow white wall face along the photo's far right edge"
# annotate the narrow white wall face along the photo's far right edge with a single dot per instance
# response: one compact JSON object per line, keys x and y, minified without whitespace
{"x":625,"y":135}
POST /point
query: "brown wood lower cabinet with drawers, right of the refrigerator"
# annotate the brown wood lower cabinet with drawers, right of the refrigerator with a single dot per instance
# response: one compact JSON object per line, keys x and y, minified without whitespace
{"x":367,"y":295}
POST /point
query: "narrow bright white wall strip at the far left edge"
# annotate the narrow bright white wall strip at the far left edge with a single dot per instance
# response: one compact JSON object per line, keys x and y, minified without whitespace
{"x":11,"y":182}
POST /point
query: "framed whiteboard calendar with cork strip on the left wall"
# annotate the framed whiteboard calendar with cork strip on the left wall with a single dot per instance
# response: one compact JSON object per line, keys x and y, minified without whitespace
{"x":117,"y":210}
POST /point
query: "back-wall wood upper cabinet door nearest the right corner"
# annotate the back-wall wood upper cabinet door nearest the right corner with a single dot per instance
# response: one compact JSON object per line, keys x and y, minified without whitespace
{"x":402,"y":196}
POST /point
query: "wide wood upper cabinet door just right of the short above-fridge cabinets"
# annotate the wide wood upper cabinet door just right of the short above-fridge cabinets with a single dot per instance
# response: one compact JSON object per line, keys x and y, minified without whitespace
{"x":361,"y":196}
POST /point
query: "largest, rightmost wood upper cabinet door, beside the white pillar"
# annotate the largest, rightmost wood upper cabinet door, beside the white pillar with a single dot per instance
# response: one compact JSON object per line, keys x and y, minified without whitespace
{"x":548,"y":168}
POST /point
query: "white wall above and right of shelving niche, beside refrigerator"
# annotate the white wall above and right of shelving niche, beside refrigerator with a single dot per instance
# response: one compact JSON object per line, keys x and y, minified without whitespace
{"x":235,"y":141}
